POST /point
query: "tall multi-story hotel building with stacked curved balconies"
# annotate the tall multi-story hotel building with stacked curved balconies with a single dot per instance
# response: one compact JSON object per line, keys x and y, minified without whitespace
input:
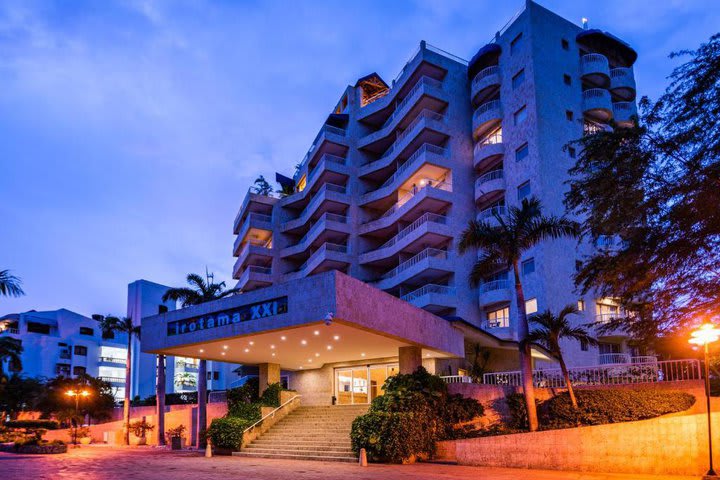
{"x":400,"y":167}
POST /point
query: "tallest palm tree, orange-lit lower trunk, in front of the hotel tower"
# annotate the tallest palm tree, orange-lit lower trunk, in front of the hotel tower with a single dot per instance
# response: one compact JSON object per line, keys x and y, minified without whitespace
{"x":501,"y":247}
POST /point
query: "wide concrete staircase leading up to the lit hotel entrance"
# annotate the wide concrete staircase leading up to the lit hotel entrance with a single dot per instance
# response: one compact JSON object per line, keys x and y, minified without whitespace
{"x":309,"y":433}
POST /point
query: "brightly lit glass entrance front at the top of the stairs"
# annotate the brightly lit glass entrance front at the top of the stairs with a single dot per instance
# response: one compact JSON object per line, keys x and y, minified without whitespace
{"x":358,"y":385}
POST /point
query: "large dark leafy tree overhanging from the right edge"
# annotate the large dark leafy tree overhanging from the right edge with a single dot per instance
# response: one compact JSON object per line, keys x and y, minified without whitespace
{"x":654,"y":188}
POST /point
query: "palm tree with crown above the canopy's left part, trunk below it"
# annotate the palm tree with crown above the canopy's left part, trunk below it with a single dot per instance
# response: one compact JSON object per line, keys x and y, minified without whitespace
{"x":201,"y":290}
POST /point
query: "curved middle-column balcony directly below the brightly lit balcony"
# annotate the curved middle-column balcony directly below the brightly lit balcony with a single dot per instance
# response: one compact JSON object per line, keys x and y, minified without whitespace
{"x":428,"y":230}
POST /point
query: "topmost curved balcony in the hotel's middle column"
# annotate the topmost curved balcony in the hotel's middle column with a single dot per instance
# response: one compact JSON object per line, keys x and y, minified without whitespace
{"x":427,"y":94}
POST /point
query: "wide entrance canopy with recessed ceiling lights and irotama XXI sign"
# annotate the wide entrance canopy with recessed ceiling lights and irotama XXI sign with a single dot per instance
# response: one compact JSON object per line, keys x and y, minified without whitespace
{"x":302,"y":324}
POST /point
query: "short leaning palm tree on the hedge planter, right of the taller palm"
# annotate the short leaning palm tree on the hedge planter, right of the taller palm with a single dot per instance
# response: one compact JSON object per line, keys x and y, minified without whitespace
{"x":554,"y":328}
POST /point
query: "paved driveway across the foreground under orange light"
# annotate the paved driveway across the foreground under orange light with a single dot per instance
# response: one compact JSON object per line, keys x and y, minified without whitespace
{"x":102,"y":462}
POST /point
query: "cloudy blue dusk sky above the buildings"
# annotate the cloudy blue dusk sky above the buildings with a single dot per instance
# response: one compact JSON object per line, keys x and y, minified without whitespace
{"x":131,"y":130}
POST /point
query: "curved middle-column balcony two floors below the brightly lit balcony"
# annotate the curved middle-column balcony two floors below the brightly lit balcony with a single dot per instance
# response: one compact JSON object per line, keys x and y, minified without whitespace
{"x":426,"y":266}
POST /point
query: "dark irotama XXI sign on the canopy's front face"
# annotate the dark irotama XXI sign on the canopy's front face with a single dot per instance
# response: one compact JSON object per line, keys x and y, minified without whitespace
{"x":231,"y":316}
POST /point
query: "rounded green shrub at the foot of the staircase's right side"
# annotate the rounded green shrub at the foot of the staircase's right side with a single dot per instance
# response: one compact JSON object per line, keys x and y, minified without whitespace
{"x":392,"y":437}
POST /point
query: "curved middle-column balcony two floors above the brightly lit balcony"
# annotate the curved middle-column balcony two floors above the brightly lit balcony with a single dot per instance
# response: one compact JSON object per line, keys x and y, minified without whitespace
{"x":428,"y":128}
